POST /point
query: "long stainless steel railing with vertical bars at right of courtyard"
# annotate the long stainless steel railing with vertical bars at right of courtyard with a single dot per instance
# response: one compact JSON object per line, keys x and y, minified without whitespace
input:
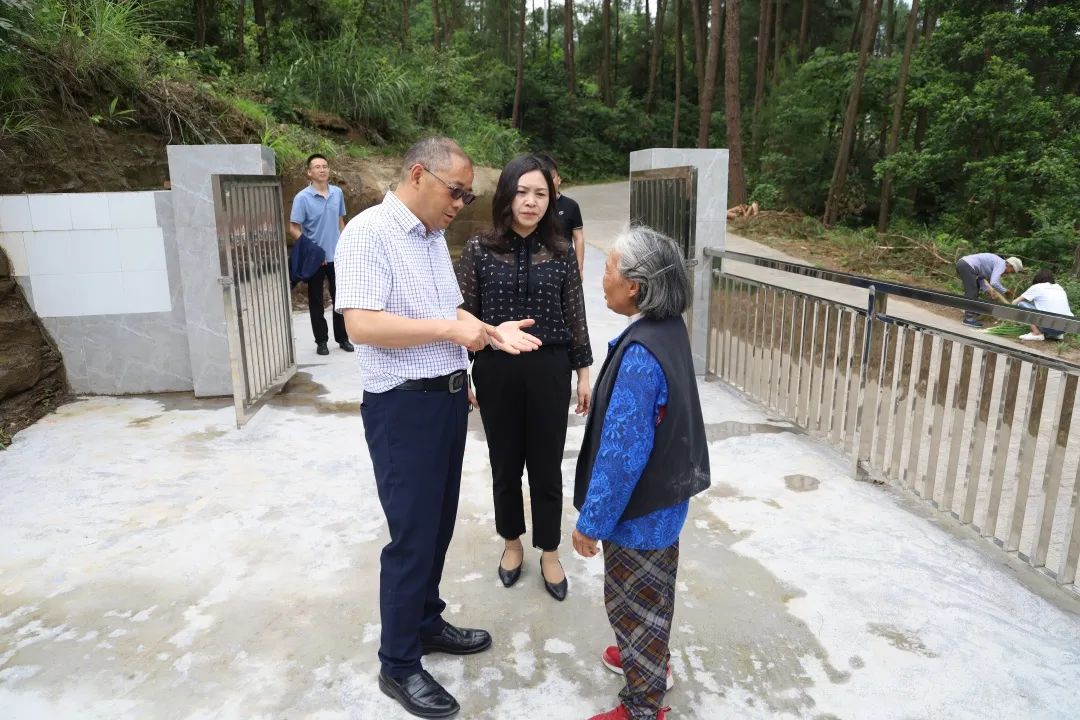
{"x":980,"y":431}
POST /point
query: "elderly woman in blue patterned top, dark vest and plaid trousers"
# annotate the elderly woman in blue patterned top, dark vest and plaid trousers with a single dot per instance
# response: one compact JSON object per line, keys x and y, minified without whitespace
{"x":643,"y":457}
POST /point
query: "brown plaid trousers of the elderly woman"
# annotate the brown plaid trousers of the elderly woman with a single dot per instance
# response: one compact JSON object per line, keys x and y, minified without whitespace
{"x":640,"y":599}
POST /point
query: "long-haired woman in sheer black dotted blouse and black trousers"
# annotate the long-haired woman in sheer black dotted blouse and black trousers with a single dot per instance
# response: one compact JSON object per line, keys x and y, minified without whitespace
{"x":523,"y":268}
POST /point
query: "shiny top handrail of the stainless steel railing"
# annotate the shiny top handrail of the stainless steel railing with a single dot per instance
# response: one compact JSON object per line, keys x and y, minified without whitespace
{"x":1051,"y":321}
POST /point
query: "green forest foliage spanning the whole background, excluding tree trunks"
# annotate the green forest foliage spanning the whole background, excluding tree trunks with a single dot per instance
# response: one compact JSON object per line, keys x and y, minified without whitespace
{"x":993,"y":97}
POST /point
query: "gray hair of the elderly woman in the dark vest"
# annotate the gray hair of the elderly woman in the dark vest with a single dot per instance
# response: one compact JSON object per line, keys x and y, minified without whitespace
{"x":657,"y":264}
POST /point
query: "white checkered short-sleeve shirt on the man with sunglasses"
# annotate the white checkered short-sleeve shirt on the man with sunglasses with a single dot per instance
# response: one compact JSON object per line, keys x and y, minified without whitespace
{"x":388,"y":261}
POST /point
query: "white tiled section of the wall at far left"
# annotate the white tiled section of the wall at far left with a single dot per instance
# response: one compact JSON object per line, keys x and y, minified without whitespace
{"x":88,"y":254}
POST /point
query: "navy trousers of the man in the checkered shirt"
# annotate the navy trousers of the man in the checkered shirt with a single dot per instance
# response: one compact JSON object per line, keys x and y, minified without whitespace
{"x":416,"y":441}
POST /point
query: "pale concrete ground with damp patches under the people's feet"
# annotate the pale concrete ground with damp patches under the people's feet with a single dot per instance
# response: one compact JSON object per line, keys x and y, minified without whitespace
{"x":158,"y":563}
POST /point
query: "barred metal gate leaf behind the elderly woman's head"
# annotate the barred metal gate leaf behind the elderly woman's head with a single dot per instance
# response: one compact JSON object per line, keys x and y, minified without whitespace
{"x":667,"y":200}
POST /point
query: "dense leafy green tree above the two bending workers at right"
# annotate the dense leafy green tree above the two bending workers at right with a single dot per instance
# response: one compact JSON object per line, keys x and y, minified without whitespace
{"x":1000,"y":159}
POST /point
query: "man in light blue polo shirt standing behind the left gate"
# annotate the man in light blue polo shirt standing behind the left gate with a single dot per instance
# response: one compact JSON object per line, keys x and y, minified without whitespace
{"x":319,"y":213}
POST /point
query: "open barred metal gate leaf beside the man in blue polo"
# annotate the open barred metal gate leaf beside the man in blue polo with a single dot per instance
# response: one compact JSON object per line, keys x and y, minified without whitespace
{"x":251,"y":235}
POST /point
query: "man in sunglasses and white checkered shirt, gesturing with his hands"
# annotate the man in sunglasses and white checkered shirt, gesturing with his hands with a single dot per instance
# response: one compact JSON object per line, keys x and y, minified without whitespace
{"x":400,"y":297}
